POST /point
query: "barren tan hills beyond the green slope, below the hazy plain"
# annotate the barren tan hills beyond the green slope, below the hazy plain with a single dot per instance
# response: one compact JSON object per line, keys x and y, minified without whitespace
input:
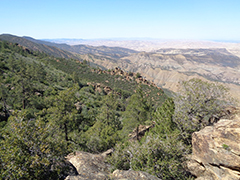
{"x":167,"y":67}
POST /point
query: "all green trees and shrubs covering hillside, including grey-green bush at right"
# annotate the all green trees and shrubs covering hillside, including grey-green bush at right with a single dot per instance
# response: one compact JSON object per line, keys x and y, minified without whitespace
{"x":49,"y":109}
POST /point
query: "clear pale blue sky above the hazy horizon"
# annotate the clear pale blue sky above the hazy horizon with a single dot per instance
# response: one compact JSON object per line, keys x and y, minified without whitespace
{"x":88,"y":19}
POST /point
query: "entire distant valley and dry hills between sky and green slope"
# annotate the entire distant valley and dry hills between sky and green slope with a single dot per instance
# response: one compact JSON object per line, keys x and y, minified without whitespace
{"x":163,"y":62}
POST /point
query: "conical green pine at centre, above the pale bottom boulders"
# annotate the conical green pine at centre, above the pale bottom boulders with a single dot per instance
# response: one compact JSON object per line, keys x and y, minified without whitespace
{"x":104,"y":133}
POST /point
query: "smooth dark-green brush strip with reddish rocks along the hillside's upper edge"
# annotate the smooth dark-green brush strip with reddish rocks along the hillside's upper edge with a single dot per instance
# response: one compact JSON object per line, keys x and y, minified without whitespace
{"x":103,"y":81}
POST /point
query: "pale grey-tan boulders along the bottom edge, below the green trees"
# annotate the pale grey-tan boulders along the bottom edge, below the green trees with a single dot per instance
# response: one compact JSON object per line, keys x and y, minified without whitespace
{"x":92,"y":166}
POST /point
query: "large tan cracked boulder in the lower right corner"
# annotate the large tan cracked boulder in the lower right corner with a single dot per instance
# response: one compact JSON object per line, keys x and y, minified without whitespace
{"x":216,"y":151}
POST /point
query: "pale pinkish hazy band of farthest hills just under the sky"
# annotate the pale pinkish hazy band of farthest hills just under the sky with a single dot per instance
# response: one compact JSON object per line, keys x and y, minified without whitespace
{"x":150,"y":44}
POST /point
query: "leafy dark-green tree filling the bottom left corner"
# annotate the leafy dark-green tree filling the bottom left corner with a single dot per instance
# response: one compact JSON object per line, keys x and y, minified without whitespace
{"x":30,"y":150}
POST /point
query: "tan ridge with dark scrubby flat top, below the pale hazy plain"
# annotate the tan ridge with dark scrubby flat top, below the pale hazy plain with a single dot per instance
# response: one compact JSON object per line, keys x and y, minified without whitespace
{"x":213,"y":64}
